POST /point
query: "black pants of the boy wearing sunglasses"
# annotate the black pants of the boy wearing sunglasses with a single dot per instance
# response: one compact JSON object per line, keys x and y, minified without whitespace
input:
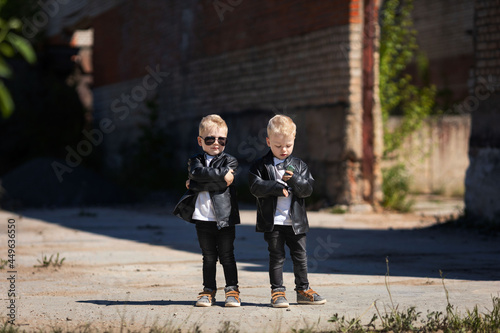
{"x":215,"y":243}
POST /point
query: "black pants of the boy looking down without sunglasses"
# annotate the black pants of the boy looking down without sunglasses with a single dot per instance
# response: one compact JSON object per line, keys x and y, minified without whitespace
{"x":276,"y":241}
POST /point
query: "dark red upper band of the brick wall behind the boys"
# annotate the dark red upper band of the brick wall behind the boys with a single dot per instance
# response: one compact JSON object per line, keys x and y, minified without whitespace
{"x":173,"y":32}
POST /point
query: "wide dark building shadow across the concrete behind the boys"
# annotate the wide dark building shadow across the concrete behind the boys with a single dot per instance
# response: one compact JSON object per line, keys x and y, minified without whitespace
{"x":459,"y":254}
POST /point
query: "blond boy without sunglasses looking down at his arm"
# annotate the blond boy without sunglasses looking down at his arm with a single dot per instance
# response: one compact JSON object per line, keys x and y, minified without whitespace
{"x":281,"y":183}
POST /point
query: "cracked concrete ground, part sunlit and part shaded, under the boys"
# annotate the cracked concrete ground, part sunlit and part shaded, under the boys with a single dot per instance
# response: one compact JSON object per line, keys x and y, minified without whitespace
{"x":137,"y":268}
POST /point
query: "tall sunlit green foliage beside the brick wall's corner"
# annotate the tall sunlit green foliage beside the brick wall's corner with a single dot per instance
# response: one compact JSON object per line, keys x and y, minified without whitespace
{"x":398,"y":93}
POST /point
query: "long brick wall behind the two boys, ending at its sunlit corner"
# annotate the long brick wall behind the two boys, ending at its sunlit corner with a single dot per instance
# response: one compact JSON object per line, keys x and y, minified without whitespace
{"x":262,"y":57}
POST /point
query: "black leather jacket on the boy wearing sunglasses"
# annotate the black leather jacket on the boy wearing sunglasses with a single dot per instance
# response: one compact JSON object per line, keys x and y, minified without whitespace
{"x":211,"y":179}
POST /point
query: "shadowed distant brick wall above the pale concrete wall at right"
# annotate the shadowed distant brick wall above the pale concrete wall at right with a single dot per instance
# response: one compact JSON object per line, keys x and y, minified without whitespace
{"x":444,"y":35}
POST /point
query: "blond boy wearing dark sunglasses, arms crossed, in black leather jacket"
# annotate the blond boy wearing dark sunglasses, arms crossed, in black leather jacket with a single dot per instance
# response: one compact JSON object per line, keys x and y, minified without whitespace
{"x":211,"y":204}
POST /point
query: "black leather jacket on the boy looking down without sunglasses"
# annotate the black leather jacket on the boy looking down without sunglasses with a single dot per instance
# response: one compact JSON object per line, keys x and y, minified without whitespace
{"x":266,"y":189}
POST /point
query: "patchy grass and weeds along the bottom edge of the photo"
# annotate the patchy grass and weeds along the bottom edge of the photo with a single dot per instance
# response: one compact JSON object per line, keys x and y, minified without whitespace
{"x":387,"y":319}
